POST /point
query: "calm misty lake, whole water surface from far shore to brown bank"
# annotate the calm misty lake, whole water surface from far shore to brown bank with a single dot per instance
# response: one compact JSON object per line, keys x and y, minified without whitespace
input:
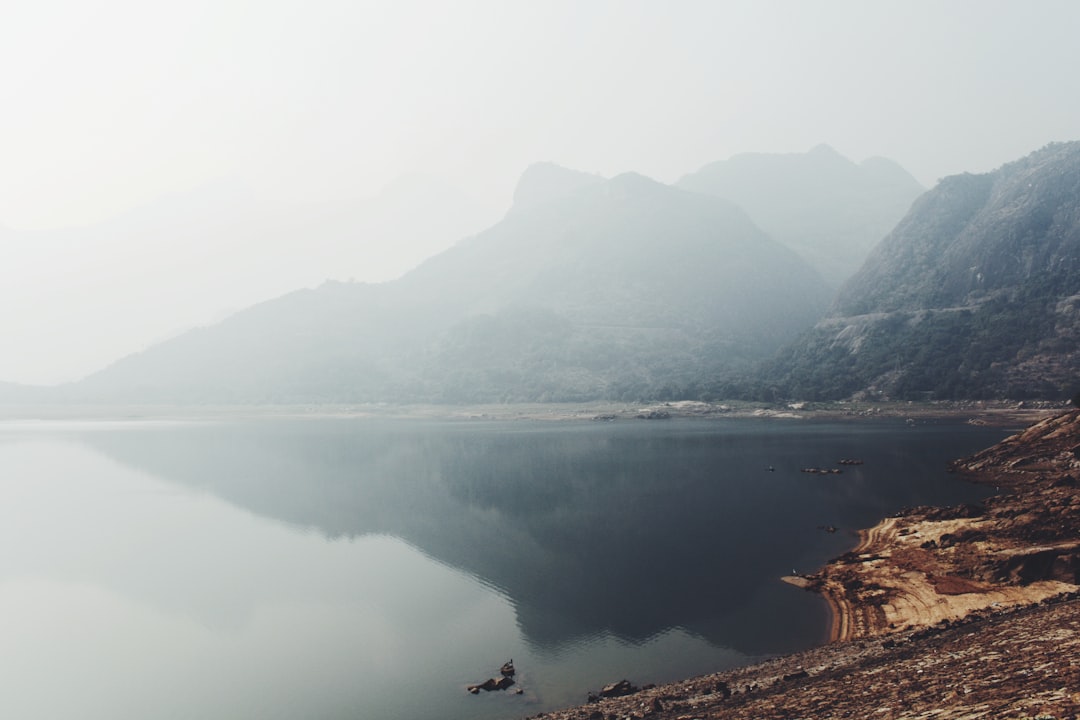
{"x":372,"y":569}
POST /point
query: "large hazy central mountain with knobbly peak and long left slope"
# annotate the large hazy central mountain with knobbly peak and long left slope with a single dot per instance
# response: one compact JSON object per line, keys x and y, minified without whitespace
{"x":617,"y":289}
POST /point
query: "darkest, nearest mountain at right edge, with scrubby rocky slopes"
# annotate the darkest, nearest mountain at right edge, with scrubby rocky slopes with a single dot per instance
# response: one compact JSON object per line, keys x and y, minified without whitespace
{"x":976,"y":294}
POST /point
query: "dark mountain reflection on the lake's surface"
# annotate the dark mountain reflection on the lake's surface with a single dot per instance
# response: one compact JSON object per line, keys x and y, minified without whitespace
{"x":591,"y":531}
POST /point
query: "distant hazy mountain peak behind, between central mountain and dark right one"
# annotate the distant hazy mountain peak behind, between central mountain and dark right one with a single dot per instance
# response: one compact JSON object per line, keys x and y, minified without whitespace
{"x":826,"y":208}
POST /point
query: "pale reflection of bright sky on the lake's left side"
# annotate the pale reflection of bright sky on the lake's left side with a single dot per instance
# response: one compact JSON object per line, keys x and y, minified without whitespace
{"x":124,"y":599}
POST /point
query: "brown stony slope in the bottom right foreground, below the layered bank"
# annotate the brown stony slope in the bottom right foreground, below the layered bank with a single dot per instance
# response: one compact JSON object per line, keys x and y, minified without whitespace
{"x":1015,"y":663}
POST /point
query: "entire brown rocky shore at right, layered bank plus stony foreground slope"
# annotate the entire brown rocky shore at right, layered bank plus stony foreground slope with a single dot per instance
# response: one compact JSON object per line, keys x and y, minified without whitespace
{"x":960,"y":613}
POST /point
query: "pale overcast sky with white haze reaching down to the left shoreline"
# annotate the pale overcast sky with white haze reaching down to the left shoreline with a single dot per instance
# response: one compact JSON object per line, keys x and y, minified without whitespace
{"x":279,"y":105}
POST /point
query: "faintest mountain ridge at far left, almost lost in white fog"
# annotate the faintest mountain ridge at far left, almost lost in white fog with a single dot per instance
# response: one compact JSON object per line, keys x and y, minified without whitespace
{"x":82,"y":281}
